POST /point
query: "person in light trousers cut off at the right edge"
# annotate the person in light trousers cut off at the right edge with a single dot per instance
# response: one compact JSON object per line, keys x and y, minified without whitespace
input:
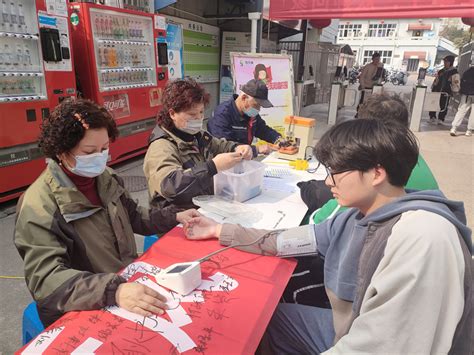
{"x":465,"y":104}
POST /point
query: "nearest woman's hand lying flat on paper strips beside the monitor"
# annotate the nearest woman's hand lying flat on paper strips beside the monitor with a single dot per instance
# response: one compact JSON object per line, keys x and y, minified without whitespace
{"x":140,"y":299}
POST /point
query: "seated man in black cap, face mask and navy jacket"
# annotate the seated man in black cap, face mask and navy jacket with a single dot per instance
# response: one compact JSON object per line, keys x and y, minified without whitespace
{"x":238,"y":120}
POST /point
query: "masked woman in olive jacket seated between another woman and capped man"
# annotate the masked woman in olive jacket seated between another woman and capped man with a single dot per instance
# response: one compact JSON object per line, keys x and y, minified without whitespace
{"x":182,"y":158}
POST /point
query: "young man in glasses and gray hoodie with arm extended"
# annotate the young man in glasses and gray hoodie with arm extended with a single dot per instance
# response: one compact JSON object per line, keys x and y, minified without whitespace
{"x":397,"y":266}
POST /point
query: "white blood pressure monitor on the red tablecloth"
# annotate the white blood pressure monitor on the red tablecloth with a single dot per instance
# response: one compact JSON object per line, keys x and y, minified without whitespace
{"x":182,"y":278}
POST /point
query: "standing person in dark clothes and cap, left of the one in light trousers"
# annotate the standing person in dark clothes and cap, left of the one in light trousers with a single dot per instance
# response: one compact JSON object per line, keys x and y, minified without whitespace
{"x":442,"y":83}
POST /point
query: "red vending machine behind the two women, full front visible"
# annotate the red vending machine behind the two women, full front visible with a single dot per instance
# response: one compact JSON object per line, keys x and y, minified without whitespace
{"x":120,"y":65}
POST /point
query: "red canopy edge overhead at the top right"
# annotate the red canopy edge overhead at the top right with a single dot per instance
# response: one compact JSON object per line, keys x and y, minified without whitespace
{"x":353,"y":9}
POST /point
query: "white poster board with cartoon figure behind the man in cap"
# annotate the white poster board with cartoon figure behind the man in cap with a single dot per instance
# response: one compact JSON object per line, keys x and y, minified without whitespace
{"x":276,"y":70}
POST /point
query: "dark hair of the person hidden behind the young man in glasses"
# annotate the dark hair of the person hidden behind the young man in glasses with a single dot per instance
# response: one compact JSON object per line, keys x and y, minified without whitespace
{"x":384,"y":107}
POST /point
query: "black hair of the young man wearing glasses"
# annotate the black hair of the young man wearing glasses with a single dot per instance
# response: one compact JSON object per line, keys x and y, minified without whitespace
{"x":365,"y":144}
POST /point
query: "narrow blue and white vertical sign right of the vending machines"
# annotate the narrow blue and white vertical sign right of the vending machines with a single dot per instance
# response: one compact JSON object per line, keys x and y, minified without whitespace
{"x":174,"y":39}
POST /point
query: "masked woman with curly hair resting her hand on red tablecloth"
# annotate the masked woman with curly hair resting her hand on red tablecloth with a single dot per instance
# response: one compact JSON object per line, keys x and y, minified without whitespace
{"x":76,"y":223}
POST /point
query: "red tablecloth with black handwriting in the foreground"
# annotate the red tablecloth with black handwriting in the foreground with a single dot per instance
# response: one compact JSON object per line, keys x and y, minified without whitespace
{"x":227,"y":320}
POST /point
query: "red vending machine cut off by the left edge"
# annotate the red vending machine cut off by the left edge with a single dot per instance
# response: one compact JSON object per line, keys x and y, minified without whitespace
{"x":36,"y":73}
